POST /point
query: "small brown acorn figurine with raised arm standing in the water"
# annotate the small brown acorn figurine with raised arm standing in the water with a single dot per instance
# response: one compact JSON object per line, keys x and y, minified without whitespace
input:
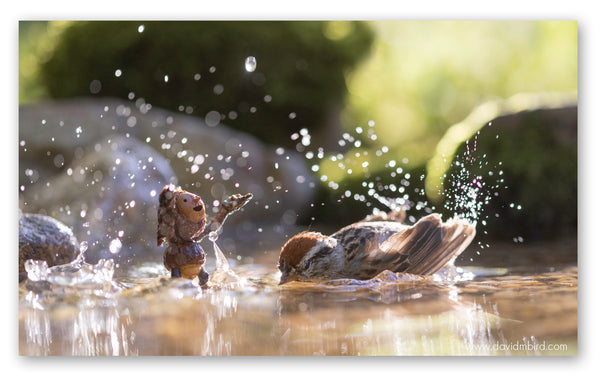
{"x":182,"y":224}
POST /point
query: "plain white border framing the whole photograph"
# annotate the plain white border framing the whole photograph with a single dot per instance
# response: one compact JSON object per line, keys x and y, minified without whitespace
{"x":589,"y":41}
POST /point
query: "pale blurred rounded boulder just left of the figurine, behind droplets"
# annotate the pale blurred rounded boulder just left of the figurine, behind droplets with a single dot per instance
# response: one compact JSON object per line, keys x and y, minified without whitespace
{"x":109,"y":197}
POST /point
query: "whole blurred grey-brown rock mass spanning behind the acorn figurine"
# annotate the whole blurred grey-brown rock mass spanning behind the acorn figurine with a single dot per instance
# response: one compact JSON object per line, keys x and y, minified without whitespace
{"x":78,"y":173}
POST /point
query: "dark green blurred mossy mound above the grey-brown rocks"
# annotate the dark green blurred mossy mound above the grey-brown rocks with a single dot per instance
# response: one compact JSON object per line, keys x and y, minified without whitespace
{"x":299,"y":69}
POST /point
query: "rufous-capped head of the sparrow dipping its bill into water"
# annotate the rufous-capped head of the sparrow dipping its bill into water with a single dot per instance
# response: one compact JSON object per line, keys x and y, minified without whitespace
{"x":306,"y":256}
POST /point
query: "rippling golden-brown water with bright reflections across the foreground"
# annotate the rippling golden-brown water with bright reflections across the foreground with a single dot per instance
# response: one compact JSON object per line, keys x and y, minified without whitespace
{"x":480,"y":312}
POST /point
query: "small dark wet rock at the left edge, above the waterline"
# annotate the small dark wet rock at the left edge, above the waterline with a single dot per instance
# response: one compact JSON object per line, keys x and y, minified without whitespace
{"x":45,"y":238}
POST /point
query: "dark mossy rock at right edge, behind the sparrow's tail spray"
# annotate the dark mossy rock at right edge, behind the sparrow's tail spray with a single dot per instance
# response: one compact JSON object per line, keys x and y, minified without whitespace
{"x":536,"y":195}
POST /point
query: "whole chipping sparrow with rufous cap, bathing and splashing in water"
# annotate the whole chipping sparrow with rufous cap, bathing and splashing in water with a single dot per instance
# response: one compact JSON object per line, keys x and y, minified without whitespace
{"x":366,"y":248}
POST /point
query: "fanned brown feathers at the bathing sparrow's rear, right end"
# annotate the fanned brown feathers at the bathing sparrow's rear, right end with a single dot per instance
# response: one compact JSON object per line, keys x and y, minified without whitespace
{"x":426,"y":247}
